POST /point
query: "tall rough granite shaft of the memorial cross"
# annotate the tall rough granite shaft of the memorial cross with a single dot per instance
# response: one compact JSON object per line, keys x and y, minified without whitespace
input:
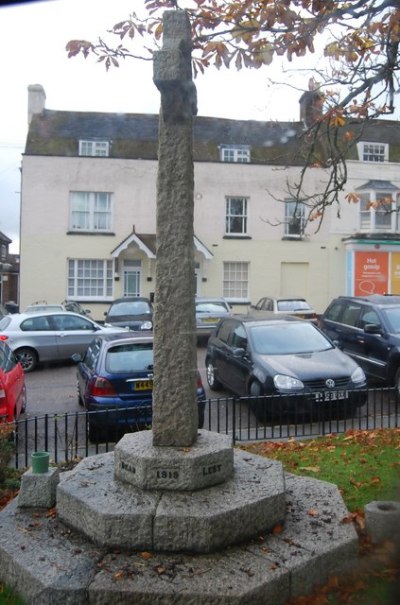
{"x":175,"y":414}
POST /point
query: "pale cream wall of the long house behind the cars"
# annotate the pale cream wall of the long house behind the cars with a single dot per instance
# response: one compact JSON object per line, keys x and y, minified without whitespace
{"x":316,"y":264}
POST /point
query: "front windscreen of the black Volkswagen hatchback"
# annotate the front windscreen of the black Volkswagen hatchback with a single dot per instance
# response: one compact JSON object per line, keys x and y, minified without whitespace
{"x":288,"y":339}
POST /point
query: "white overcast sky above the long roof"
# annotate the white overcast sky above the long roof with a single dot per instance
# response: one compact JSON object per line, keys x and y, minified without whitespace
{"x":33,"y":36}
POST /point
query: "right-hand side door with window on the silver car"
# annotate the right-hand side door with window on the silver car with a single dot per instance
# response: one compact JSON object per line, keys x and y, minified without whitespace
{"x":73,"y":334}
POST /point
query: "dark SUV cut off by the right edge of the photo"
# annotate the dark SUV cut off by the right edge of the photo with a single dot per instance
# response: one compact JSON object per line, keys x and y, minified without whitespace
{"x":368,"y":329}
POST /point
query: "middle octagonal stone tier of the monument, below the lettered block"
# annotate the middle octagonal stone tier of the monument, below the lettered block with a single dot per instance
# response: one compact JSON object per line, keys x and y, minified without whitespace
{"x":113,"y":513}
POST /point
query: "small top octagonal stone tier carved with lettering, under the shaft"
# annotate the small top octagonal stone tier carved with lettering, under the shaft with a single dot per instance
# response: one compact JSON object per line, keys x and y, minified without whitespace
{"x":208,"y":461}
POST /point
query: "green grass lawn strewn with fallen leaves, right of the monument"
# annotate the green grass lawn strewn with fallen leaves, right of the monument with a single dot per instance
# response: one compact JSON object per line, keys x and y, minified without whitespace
{"x":365,"y":465}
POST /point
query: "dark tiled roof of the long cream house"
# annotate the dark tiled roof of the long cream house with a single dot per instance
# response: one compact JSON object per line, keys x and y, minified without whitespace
{"x":135,"y":136}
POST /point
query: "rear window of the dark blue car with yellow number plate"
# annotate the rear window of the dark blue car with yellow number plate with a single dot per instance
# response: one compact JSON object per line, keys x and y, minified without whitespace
{"x":129,"y":357}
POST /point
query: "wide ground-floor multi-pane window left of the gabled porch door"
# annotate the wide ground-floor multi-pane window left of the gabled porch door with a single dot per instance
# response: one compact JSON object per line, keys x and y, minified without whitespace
{"x":90,"y":279}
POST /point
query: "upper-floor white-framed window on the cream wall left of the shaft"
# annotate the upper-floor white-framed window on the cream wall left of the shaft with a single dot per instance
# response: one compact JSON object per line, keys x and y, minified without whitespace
{"x":90,"y":211}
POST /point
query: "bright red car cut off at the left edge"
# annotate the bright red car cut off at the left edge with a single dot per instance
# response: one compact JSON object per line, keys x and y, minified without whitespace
{"x":12,"y":385}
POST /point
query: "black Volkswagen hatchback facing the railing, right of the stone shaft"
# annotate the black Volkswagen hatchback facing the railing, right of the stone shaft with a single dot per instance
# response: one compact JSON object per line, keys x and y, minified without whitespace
{"x":282,"y":356}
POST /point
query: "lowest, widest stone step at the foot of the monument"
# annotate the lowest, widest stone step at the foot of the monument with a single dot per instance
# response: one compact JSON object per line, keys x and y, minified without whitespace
{"x":50,"y":564}
